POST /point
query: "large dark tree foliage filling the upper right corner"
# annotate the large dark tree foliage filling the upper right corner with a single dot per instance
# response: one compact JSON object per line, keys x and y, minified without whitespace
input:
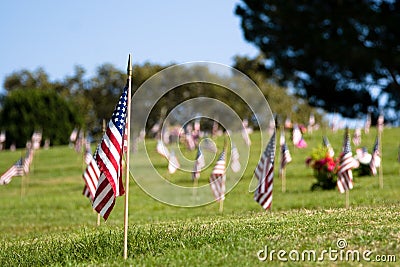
{"x":334,"y":53}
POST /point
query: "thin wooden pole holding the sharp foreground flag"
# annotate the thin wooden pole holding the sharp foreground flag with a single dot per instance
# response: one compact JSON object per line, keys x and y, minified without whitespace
{"x":128,"y":118}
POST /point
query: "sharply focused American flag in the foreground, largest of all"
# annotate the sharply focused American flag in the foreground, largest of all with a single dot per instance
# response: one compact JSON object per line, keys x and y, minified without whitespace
{"x":108,"y":157}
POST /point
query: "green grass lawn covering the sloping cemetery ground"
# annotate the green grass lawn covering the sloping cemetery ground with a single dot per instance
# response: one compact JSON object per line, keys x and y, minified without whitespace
{"x":45,"y":220}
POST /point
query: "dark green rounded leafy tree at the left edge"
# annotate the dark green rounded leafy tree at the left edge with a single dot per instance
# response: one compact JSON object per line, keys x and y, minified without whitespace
{"x":26,"y":111}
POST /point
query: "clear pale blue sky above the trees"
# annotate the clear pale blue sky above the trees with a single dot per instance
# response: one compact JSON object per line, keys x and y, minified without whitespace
{"x":57,"y":35}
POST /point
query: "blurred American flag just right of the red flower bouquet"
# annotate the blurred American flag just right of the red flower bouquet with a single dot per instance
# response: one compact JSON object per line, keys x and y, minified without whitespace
{"x":345,"y":174}
